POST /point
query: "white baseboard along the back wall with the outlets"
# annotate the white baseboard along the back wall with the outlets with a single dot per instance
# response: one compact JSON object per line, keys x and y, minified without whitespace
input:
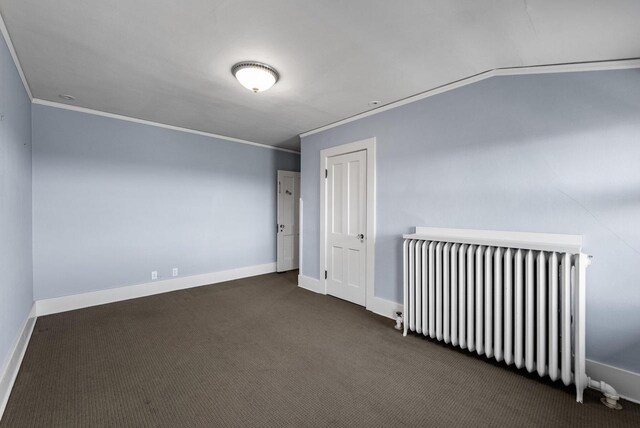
{"x":101,"y":297}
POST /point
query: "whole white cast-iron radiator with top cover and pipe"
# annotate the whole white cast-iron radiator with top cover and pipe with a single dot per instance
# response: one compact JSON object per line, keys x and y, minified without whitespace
{"x":515,"y":297}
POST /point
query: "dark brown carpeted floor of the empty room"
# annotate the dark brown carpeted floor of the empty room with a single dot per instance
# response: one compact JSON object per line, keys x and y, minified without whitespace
{"x":263,"y":352}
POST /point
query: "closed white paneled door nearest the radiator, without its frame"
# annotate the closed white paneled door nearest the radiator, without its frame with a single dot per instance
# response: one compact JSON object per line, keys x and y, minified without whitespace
{"x":346,"y":226}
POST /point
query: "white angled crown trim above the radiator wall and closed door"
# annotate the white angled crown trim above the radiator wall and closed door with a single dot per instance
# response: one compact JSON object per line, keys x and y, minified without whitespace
{"x":537,"y":69}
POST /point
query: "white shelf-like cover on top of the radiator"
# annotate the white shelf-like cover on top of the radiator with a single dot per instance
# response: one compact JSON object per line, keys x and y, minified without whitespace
{"x":528,"y":240}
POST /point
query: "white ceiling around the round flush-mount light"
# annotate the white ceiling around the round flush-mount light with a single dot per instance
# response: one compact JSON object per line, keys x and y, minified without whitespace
{"x":169,"y":61}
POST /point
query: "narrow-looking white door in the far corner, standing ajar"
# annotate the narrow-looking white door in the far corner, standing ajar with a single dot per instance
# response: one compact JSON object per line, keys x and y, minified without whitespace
{"x":288,"y":227}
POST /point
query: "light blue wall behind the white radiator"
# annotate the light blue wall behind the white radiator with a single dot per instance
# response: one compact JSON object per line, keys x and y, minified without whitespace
{"x":556,"y":153}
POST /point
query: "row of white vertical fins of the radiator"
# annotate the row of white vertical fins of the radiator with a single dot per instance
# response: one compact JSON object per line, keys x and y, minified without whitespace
{"x":510,"y":304}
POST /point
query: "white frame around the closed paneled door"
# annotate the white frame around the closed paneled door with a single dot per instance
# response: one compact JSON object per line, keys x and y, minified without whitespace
{"x":369,"y":145}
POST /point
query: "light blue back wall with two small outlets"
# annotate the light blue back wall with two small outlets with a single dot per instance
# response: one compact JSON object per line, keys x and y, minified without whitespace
{"x":115,"y":200}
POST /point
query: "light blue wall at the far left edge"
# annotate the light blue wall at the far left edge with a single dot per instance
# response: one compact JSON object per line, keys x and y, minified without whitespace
{"x":16,"y":282}
